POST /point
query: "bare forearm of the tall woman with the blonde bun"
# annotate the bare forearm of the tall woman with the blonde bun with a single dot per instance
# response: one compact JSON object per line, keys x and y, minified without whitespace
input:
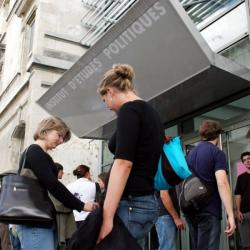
{"x":117,"y":182}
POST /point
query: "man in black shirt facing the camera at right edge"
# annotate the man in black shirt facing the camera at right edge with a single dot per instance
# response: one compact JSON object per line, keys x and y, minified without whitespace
{"x":242,"y":196}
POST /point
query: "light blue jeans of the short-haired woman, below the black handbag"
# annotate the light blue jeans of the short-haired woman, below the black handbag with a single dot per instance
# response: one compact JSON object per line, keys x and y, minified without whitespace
{"x":35,"y":238}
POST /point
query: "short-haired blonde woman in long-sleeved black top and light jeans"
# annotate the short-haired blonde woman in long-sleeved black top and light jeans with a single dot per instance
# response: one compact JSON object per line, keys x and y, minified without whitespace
{"x":50,"y":133}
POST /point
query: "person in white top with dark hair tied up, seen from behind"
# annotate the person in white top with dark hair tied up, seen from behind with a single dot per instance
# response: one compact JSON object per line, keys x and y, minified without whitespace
{"x":83,"y":189}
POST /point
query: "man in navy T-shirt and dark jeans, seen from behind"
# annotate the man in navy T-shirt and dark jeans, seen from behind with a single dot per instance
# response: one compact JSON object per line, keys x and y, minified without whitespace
{"x":208,"y":162}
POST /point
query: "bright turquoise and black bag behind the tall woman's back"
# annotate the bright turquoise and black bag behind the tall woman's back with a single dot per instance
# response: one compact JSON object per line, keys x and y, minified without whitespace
{"x":172,"y":166}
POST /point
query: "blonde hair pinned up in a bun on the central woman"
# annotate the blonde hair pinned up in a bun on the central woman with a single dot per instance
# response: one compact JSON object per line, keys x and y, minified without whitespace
{"x":119,"y":76}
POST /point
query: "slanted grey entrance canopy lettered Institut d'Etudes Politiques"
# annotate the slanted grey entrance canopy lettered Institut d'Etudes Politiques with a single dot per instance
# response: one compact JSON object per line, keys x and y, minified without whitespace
{"x":175,"y":70}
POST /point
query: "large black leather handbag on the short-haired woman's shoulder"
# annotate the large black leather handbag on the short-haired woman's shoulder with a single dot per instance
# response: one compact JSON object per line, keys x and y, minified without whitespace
{"x":24,"y":200}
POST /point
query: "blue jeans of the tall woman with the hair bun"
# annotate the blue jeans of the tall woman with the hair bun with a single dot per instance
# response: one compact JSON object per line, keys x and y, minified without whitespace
{"x":139,"y":214}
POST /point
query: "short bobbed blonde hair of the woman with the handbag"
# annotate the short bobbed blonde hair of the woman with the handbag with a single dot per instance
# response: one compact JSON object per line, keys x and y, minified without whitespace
{"x":52,"y":123}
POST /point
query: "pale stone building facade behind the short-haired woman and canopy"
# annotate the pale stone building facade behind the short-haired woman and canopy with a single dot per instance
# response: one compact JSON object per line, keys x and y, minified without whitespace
{"x":40,"y":40}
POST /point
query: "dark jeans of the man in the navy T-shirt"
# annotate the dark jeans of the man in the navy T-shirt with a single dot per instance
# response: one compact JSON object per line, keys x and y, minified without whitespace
{"x":205,"y":230}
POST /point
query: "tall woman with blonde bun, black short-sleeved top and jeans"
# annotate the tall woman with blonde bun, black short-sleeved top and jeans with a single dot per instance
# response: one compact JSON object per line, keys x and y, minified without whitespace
{"x":136,"y":145}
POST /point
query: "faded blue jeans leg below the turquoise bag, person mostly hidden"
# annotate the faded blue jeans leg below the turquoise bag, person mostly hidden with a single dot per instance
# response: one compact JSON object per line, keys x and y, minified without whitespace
{"x":166,"y":232}
